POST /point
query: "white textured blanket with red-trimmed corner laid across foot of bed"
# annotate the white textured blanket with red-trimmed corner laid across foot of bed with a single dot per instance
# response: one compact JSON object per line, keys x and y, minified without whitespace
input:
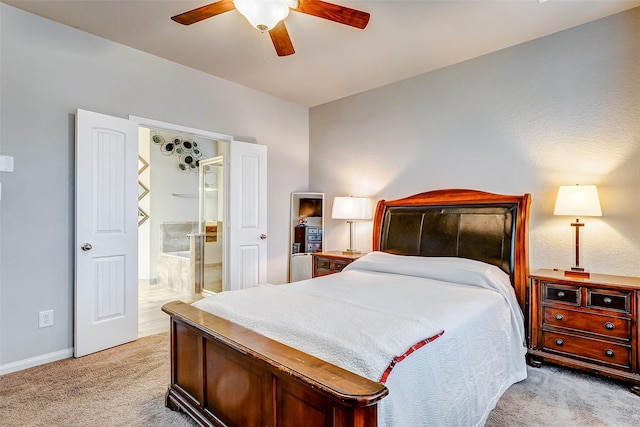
{"x":362,"y":339}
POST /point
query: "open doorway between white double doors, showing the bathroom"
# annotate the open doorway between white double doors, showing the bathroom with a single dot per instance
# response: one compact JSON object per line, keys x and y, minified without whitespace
{"x":169,"y":220}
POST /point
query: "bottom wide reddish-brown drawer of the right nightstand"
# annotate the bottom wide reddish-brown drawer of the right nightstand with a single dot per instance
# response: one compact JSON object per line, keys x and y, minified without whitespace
{"x":587,"y":348}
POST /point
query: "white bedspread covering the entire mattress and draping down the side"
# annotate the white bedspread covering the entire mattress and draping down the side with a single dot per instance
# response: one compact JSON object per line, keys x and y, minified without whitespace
{"x":455,"y":380}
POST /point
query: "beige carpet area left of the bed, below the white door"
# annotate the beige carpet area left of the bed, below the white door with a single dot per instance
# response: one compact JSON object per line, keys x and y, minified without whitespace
{"x":122,"y":386}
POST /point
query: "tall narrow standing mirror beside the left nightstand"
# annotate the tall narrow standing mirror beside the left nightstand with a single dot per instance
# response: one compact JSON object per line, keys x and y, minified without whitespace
{"x":307,"y":233}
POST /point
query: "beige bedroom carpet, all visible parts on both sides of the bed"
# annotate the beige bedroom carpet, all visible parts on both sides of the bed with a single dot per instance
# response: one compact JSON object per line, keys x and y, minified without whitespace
{"x":125,"y":386}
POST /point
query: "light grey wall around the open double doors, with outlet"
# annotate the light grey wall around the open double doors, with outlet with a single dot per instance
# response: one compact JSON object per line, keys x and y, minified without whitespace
{"x":48,"y":70}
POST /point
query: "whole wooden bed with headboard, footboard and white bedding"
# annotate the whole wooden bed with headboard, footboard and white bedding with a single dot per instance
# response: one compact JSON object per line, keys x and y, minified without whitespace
{"x":425,"y":330}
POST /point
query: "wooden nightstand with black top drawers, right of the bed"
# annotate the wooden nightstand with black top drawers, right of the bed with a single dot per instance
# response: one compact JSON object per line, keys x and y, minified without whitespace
{"x":586,"y":323}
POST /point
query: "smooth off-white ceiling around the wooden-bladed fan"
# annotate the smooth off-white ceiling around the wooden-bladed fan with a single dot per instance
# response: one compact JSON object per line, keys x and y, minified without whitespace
{"x":332,"y":61}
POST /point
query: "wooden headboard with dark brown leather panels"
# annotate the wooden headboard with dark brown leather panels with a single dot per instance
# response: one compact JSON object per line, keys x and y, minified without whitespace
{"x":492,"y":228}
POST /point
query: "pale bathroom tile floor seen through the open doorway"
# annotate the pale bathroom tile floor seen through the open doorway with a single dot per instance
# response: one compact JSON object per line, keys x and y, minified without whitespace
{"x":151,"y":319}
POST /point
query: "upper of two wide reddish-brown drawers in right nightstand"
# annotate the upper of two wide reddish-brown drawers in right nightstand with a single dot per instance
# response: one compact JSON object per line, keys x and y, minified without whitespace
{"x":606,"y":326}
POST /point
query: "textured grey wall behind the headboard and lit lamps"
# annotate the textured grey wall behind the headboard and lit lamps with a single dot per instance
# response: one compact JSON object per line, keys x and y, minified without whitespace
{"x":563,"y":109}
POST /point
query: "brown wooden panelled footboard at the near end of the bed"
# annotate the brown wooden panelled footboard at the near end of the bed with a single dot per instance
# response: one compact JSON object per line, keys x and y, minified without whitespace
{"x":223,"y":374}
